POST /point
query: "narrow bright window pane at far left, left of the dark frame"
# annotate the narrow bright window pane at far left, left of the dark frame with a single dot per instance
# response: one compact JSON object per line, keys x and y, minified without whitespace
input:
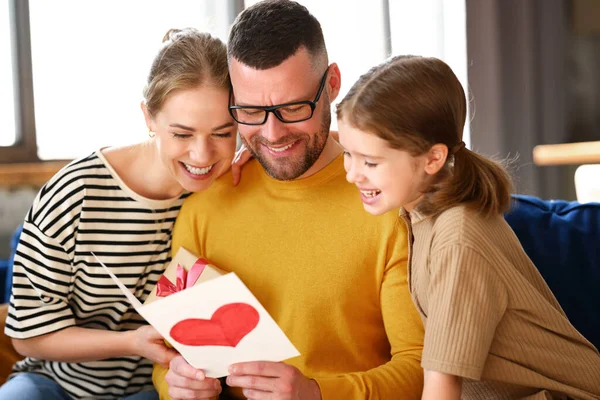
{"x":7,"y":106}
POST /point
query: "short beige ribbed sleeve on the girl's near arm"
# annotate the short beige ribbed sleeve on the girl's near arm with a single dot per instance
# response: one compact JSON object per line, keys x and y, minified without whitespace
{"x":467,"y":300}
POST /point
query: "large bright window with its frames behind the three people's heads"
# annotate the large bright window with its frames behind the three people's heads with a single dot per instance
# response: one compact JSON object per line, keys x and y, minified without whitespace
{"x":82,"y":65}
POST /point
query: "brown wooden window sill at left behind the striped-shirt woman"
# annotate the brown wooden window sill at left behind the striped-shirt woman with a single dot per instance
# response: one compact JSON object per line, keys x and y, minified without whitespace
{"x":29,"y":174}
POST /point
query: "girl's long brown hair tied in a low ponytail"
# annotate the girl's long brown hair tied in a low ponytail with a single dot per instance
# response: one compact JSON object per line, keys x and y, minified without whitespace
{"x":414,"y":103}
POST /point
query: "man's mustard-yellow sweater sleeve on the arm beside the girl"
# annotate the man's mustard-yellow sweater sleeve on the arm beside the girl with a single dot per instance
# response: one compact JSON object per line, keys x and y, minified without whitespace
{"x":402,"y":376}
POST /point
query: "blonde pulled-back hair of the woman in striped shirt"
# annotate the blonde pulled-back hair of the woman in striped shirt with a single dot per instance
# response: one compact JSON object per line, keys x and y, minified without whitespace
{"x":187,"y":59}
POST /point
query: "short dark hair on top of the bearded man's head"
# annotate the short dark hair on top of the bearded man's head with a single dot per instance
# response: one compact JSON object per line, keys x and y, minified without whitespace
{"x":269,"y":32}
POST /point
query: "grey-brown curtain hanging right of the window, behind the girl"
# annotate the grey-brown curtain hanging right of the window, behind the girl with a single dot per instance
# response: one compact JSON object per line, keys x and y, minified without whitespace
{"x":517,"y":52}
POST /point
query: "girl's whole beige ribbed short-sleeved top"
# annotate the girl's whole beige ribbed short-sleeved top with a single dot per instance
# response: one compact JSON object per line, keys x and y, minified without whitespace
{"x":489,"y":316}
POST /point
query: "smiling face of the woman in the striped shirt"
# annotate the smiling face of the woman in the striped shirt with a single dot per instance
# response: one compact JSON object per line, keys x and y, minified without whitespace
{"x":195,"y":136}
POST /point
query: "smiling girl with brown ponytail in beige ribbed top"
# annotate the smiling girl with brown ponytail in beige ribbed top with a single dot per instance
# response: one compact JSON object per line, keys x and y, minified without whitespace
{"x":493,"y":329}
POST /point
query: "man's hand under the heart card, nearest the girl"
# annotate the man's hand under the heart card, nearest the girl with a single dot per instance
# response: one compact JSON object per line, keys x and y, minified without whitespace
{"x":273,"y":381}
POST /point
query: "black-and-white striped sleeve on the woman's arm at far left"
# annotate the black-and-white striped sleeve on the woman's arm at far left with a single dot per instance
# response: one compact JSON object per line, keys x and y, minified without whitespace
{"x":43,"y":274}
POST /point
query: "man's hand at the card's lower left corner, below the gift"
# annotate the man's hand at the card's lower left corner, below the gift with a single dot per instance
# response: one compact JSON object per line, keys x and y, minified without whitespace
{"x":186,"y":382}
